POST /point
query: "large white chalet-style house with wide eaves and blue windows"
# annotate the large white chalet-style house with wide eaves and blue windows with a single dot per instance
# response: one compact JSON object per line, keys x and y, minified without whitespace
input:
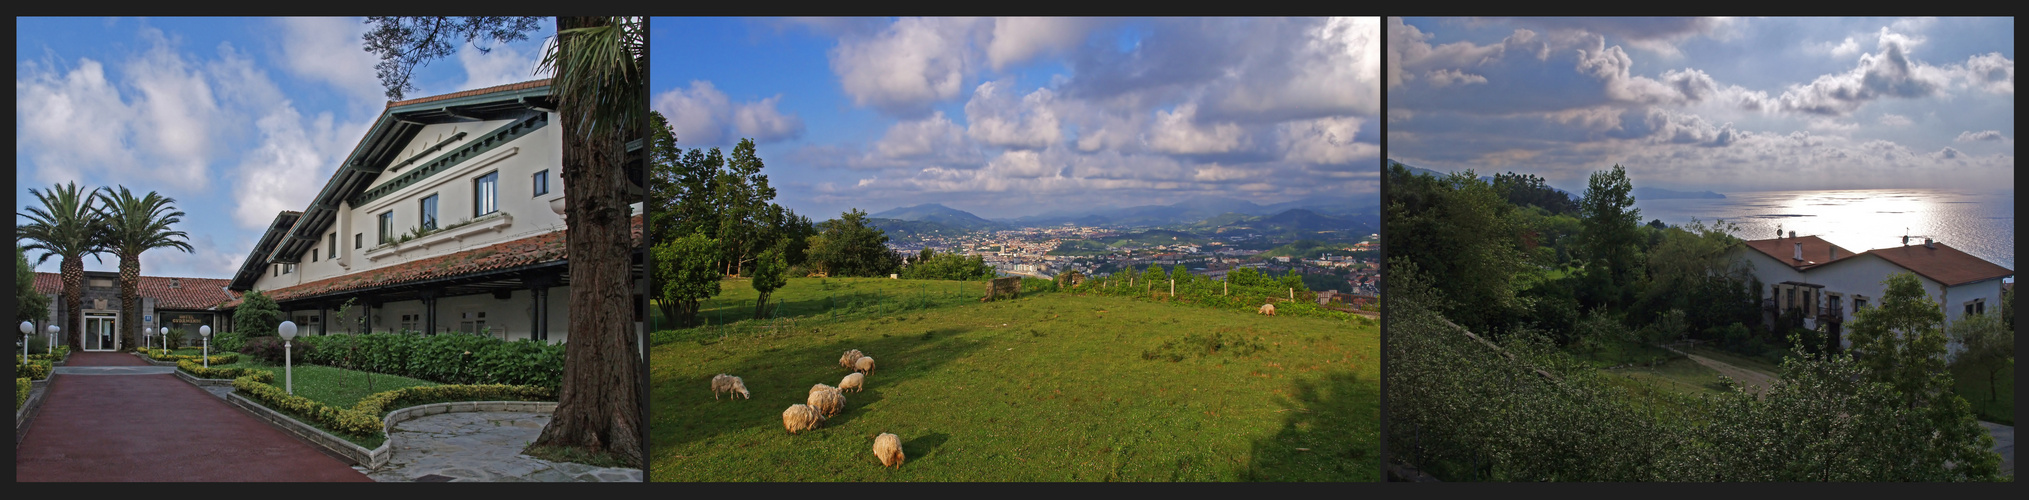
{"x":445,"y":218}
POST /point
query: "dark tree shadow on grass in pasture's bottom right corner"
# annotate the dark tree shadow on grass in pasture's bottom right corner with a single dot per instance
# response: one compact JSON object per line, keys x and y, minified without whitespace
{"x":1338,"y":424}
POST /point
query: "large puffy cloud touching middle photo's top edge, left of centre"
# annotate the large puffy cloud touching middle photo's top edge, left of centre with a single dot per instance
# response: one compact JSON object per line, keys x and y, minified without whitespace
{"x":910,"y":66}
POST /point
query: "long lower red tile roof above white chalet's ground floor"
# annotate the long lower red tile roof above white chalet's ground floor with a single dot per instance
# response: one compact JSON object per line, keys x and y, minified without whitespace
{"x":506,"y":255}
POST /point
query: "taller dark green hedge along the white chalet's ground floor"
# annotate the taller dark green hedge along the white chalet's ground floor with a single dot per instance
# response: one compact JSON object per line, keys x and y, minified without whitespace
{"x":447,"y":359}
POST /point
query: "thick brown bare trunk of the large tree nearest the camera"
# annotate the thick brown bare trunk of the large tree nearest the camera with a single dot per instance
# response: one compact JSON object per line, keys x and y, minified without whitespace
{"x":600,"y":405}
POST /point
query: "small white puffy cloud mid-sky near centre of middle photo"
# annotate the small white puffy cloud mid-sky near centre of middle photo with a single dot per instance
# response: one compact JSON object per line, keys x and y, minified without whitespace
{"x":999,"y":119}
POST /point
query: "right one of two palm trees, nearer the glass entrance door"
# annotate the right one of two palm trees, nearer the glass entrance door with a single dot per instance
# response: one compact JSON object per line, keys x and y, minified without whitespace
{"x":133,"y":227}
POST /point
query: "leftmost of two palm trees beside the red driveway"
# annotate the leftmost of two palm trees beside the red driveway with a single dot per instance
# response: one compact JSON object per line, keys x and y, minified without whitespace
{"x":66,"y":227}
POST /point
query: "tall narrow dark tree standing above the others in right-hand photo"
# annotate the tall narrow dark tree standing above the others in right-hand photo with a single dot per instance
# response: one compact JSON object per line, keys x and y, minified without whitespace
{"x":1610,"y":237}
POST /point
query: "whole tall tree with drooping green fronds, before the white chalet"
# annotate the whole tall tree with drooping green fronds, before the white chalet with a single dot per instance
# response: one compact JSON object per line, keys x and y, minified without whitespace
{"x":602,"y":88}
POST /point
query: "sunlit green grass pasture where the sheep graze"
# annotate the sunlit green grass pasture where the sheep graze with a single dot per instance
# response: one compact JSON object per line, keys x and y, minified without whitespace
{"x":1052,"y":387}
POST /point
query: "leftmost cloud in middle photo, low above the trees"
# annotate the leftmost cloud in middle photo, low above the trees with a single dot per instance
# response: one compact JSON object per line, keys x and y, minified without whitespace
{"x":705,"y":117}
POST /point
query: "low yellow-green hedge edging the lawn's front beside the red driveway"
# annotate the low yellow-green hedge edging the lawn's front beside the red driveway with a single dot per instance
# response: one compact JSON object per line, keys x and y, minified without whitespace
{"x":364,"y":420}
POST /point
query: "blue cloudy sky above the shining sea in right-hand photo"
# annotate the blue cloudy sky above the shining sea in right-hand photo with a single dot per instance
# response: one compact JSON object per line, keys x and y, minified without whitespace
{"x":1726,"y":105}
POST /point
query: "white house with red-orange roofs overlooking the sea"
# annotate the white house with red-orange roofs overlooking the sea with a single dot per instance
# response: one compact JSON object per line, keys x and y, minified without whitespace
{"x":1825,"y":284}
